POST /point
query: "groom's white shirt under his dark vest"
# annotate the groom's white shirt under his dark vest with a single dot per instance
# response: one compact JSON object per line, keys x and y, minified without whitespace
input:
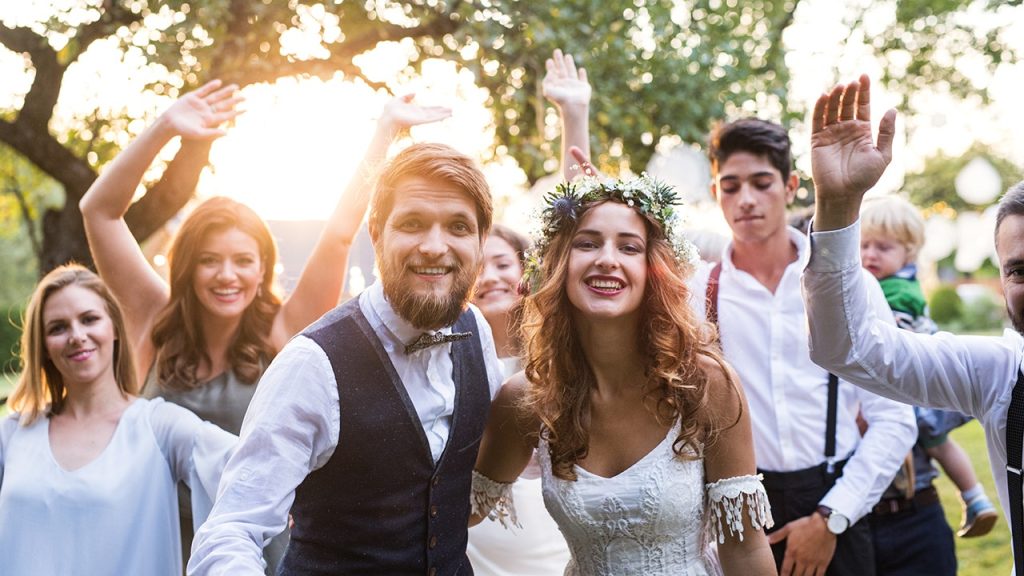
{"x":292,"y":429}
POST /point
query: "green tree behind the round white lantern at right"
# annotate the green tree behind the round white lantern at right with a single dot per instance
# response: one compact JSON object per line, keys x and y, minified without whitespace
{"x":934,"y":189}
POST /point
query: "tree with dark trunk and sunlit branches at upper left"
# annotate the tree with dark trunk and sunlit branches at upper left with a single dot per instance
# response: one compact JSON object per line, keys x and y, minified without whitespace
{"x":237,"y":40}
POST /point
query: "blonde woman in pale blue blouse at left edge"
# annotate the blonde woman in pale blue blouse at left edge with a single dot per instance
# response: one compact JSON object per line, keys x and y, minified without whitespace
{"x":88,"y":469}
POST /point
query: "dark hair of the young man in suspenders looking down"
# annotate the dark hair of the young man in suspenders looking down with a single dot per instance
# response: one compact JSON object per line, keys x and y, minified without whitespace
{"x":753,"y":136}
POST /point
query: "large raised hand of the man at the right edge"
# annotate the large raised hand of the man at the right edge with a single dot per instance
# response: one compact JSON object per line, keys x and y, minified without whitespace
{"x":845,"y":161}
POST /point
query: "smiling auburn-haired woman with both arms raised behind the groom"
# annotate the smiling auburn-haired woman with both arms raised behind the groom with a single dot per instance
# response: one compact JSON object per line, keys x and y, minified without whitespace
{"x":204,"y":341}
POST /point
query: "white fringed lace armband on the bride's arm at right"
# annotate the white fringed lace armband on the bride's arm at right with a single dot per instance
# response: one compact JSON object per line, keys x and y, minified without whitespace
{"x":727,"y":500}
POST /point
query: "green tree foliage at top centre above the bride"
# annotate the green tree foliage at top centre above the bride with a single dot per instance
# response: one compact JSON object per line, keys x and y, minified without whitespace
{"x":660,"y":69}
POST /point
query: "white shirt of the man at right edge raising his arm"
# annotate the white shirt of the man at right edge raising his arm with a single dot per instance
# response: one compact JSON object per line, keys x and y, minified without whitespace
{"x":971,"y":375}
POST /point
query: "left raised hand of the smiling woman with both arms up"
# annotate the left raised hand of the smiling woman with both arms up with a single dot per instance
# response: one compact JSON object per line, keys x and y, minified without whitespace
{"x":199,"y":114}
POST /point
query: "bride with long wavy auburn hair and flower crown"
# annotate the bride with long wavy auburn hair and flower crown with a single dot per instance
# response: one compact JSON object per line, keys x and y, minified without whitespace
{"x":641,"y":428}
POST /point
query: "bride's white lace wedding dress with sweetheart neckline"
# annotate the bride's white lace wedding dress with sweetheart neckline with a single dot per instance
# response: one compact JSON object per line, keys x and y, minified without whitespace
{"x":648,"y":520}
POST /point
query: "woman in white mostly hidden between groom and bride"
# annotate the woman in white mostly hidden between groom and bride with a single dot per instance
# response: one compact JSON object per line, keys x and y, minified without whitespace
{"x":538,"y":548}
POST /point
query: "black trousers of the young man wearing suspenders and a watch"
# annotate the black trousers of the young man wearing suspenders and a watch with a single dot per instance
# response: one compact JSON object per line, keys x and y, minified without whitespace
{"x":795,"y":496}
